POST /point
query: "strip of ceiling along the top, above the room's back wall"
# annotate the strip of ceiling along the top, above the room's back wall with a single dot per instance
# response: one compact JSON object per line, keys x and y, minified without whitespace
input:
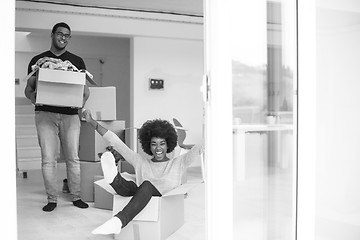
{"x":186,"y":7}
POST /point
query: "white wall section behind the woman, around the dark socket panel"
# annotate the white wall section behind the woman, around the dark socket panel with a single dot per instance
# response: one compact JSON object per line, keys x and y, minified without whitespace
{"x":180,"y":64}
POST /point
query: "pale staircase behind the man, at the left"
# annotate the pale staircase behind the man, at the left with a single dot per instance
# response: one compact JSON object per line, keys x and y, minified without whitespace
{"x":28,"y":155}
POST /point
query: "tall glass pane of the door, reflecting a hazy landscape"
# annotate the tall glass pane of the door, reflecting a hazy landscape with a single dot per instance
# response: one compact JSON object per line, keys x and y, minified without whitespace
{"x":264,"y":109}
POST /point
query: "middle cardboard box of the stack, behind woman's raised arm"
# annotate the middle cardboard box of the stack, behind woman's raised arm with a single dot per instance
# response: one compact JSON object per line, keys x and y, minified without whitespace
{"x":92,"y":143}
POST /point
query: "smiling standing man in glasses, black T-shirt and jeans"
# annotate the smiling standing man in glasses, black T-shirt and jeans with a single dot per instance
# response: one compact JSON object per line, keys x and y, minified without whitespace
{"x":58,"y":124}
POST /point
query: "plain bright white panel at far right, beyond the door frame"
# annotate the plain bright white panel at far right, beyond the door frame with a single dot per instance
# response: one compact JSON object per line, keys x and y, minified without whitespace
{"x":338,"y":129}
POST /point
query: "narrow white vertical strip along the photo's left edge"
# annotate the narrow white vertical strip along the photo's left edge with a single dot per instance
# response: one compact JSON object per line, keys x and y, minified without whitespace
{"x":7,"y":50}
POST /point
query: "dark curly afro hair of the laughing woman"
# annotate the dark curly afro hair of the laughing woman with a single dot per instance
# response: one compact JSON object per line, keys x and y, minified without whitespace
{"x":160,"y":129}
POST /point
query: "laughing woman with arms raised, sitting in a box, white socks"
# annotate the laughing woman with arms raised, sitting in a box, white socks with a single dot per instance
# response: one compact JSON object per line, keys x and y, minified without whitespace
{"x":154,"y":177}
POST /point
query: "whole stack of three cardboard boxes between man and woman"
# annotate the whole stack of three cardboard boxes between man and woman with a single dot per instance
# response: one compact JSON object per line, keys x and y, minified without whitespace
{"x":102,"y":105}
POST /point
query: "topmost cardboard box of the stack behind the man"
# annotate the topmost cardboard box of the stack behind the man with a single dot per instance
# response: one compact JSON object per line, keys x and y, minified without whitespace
{"x":102,"y":103}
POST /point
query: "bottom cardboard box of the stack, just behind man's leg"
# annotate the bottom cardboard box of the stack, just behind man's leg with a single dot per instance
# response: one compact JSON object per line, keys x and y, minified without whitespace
{"x":88,"y":170}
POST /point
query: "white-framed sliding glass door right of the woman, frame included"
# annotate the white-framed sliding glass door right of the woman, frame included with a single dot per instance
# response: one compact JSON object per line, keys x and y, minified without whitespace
{"x":255,"y":63}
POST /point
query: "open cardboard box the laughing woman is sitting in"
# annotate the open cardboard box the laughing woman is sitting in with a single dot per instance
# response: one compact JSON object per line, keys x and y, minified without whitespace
{"x":158,"y":220}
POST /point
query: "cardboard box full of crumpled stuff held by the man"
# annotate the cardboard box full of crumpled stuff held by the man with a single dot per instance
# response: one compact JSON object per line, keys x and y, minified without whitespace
{"x":60,"y":88}
